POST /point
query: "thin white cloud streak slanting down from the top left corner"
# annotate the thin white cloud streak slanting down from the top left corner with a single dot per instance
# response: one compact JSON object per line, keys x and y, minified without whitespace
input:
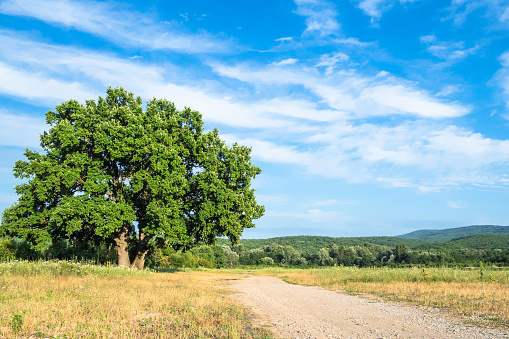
{"x":116,"y":23}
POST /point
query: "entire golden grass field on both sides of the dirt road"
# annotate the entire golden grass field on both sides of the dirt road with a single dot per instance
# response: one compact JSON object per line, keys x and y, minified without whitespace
{"x":72,"y":300}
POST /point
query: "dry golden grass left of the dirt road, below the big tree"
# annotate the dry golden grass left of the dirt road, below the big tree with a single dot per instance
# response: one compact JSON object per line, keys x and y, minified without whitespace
{"x":131,"y":305}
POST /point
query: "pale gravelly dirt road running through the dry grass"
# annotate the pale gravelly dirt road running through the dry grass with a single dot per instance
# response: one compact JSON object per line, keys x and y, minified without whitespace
{"x":310,"y":312}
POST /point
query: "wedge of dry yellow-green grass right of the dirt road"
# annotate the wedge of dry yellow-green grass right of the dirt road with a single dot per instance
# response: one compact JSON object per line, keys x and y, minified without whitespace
{"x":481,"y":297}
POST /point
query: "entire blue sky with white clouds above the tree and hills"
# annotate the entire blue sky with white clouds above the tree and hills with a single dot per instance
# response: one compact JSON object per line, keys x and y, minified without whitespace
{"x":367,"y":117}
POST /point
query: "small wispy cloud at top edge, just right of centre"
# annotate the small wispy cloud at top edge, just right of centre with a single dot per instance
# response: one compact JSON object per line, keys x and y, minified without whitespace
{"x":320,"y":16}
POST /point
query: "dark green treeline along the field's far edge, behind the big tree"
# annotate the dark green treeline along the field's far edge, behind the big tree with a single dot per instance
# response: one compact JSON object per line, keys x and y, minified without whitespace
{"x":467,"y":251}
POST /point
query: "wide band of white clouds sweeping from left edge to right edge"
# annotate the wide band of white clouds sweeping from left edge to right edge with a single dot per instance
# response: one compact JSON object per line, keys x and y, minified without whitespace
{"x":326,"y":138}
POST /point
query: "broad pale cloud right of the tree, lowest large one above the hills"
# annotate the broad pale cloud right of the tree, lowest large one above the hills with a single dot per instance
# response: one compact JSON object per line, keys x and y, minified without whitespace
{"x":414,"y":155}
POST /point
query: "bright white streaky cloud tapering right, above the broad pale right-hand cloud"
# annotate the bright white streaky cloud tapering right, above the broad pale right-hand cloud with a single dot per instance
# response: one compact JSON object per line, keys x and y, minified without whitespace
{"x":351,"y":93}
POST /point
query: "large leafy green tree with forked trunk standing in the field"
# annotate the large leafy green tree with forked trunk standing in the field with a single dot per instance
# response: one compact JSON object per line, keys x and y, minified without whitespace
{"x":111,"y":170}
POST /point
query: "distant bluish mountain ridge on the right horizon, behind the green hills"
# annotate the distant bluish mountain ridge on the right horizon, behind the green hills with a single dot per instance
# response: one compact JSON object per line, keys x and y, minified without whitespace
{"x":452,"y":233}
